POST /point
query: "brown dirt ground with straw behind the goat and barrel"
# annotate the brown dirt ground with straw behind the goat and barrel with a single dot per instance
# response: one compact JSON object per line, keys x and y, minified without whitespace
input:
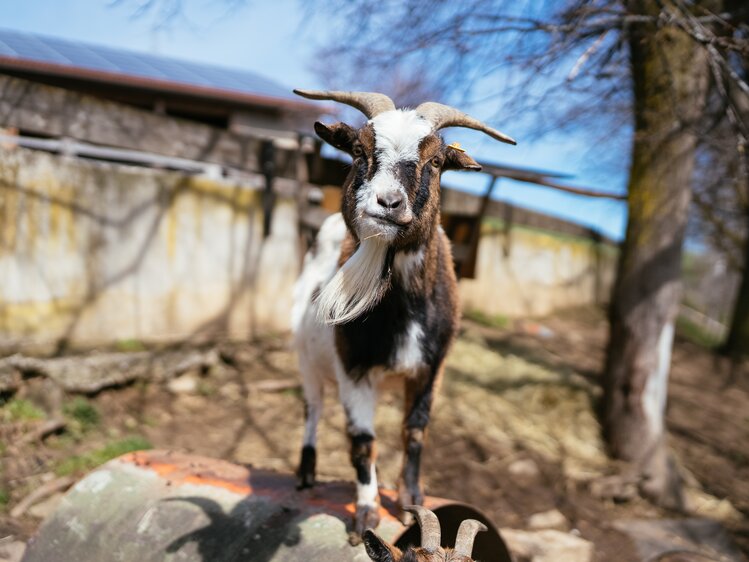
{"x":510,"y":395}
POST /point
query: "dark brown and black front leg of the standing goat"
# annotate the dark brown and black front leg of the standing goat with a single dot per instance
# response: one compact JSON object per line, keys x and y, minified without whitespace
{"x":418,"y":405}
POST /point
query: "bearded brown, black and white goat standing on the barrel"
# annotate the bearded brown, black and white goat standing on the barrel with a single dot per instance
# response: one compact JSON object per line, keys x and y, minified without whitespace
{"x":378,"y":293}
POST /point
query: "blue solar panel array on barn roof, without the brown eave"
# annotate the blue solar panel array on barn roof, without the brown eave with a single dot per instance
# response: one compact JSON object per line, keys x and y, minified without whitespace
{"x":39,"y":48}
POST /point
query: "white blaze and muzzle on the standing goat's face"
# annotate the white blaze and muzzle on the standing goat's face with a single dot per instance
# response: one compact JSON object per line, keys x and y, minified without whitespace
{"x":382,"y":204}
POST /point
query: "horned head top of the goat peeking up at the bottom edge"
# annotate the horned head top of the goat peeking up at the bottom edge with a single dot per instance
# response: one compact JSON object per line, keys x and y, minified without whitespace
{"x":430,"y":550}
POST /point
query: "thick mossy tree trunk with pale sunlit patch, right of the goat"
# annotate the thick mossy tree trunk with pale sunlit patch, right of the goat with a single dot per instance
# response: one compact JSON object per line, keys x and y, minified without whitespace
{"x":670,"y":76}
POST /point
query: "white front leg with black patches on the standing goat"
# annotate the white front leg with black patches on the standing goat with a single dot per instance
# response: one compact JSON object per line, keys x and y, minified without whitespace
{"x":359,"y":399}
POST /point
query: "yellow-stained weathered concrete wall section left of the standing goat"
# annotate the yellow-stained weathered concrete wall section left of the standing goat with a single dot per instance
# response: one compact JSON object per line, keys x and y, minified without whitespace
{"x":93,"y":252}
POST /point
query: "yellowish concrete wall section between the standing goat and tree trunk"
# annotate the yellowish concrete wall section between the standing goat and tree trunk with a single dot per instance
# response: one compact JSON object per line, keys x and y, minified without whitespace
{"x":526,"y":272}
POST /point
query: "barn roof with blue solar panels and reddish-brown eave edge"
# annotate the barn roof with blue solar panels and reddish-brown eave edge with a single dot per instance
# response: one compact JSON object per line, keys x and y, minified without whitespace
{"x":49,"y":56}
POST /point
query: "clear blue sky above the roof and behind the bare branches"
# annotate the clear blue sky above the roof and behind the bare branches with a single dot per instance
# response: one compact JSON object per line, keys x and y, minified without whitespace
{"x":269,"y":38}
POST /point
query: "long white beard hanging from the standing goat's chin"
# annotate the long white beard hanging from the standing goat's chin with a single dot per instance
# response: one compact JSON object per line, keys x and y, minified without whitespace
{"x":357,"y":286}
